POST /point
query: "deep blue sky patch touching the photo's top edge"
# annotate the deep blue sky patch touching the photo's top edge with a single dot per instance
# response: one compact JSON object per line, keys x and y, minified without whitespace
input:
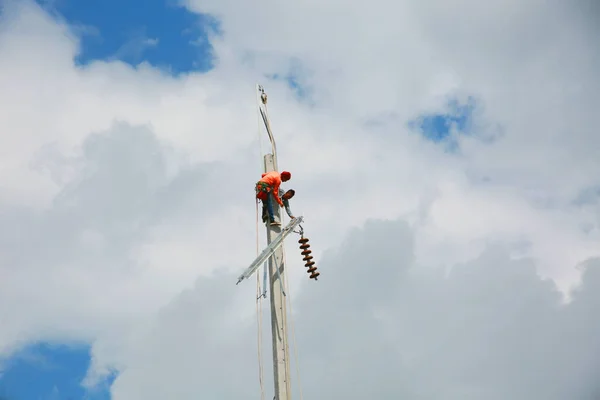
{"x":157,"y":31}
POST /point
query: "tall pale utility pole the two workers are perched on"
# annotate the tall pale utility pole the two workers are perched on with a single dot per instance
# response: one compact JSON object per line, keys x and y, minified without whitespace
{"x":281,"y":362}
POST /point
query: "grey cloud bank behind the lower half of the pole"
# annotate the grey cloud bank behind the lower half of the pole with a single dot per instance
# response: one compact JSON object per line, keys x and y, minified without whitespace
{"x":378,"y":326}
